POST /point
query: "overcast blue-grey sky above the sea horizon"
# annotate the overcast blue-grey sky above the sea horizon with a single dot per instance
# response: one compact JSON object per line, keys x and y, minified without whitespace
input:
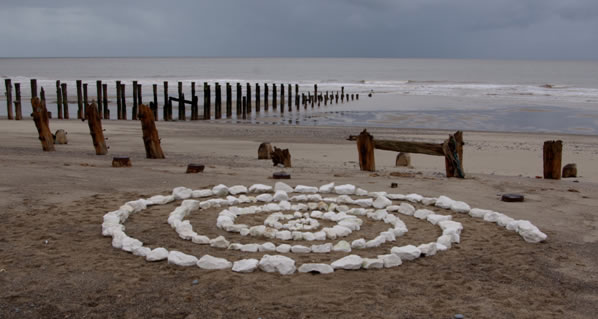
{"x":506,"y":29}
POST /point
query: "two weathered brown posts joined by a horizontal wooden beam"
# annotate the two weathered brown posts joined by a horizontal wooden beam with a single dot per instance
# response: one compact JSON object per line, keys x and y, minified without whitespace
{"x":451,"y":149}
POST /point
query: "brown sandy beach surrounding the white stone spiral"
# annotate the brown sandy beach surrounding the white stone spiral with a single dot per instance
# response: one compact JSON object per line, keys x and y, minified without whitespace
{"x":60,"y":197}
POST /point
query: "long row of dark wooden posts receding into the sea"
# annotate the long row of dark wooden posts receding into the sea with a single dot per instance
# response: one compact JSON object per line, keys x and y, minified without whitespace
{"x":244,"y":103}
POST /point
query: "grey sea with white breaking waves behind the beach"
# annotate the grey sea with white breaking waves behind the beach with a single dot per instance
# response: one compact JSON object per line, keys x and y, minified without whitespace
{"x":452,"y":94}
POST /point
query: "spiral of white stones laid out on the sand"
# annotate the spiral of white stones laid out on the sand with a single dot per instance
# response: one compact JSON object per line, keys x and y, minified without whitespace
{"x":296,"y":218}
